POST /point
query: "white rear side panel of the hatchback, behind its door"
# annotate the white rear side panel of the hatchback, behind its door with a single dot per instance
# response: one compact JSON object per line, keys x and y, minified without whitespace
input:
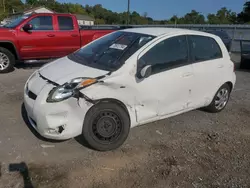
{"x":214,"y":73}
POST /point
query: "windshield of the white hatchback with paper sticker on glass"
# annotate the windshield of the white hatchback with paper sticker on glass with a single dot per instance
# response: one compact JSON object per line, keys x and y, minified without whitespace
{"x":110,"y":52}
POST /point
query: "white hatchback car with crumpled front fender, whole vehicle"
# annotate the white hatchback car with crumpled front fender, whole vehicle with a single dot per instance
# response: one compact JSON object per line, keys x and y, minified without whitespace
{"x":128,"y":78}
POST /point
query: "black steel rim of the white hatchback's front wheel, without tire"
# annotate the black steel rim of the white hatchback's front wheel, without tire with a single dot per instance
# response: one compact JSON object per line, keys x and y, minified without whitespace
{"x":107,"y":126}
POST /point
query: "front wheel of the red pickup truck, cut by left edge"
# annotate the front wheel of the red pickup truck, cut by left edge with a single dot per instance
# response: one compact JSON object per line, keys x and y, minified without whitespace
{"x":7,"y":60}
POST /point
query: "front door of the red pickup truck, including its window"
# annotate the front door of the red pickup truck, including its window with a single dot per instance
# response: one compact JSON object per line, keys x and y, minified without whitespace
{"x":41,"y":41}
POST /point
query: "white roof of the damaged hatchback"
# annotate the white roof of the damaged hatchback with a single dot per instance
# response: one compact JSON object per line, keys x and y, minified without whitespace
{"x":158,"y":31}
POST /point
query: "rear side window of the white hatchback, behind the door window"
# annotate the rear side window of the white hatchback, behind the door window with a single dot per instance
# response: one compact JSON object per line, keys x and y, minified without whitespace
{"x":203,"y":48}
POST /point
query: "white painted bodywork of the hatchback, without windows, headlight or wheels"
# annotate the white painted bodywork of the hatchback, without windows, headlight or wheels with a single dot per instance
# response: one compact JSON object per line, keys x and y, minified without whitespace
{"x":159,"y":96}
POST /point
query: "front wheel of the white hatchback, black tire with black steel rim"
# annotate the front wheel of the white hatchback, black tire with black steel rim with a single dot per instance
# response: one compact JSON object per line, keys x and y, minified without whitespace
{"x":106,"y":126}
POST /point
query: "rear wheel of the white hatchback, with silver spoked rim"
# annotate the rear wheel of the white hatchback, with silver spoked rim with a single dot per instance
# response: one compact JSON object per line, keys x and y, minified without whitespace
{"x":220,"y":99}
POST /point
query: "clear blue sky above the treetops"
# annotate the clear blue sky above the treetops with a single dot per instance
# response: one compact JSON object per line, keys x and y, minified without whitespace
{"x":165,"y":9}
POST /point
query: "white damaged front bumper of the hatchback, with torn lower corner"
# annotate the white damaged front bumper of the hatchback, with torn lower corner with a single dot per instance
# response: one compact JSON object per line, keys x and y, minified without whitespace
{"x":60,"y":121}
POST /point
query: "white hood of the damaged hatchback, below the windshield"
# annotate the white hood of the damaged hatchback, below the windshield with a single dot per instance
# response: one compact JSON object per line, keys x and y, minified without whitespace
{"x":63,"y":70}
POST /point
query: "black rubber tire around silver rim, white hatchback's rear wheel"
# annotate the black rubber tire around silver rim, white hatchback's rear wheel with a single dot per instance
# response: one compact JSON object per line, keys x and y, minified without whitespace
{"x":212,"y":107}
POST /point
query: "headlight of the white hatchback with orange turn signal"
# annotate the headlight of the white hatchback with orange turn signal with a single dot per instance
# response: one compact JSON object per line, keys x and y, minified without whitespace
{"x":69,"y":89}
